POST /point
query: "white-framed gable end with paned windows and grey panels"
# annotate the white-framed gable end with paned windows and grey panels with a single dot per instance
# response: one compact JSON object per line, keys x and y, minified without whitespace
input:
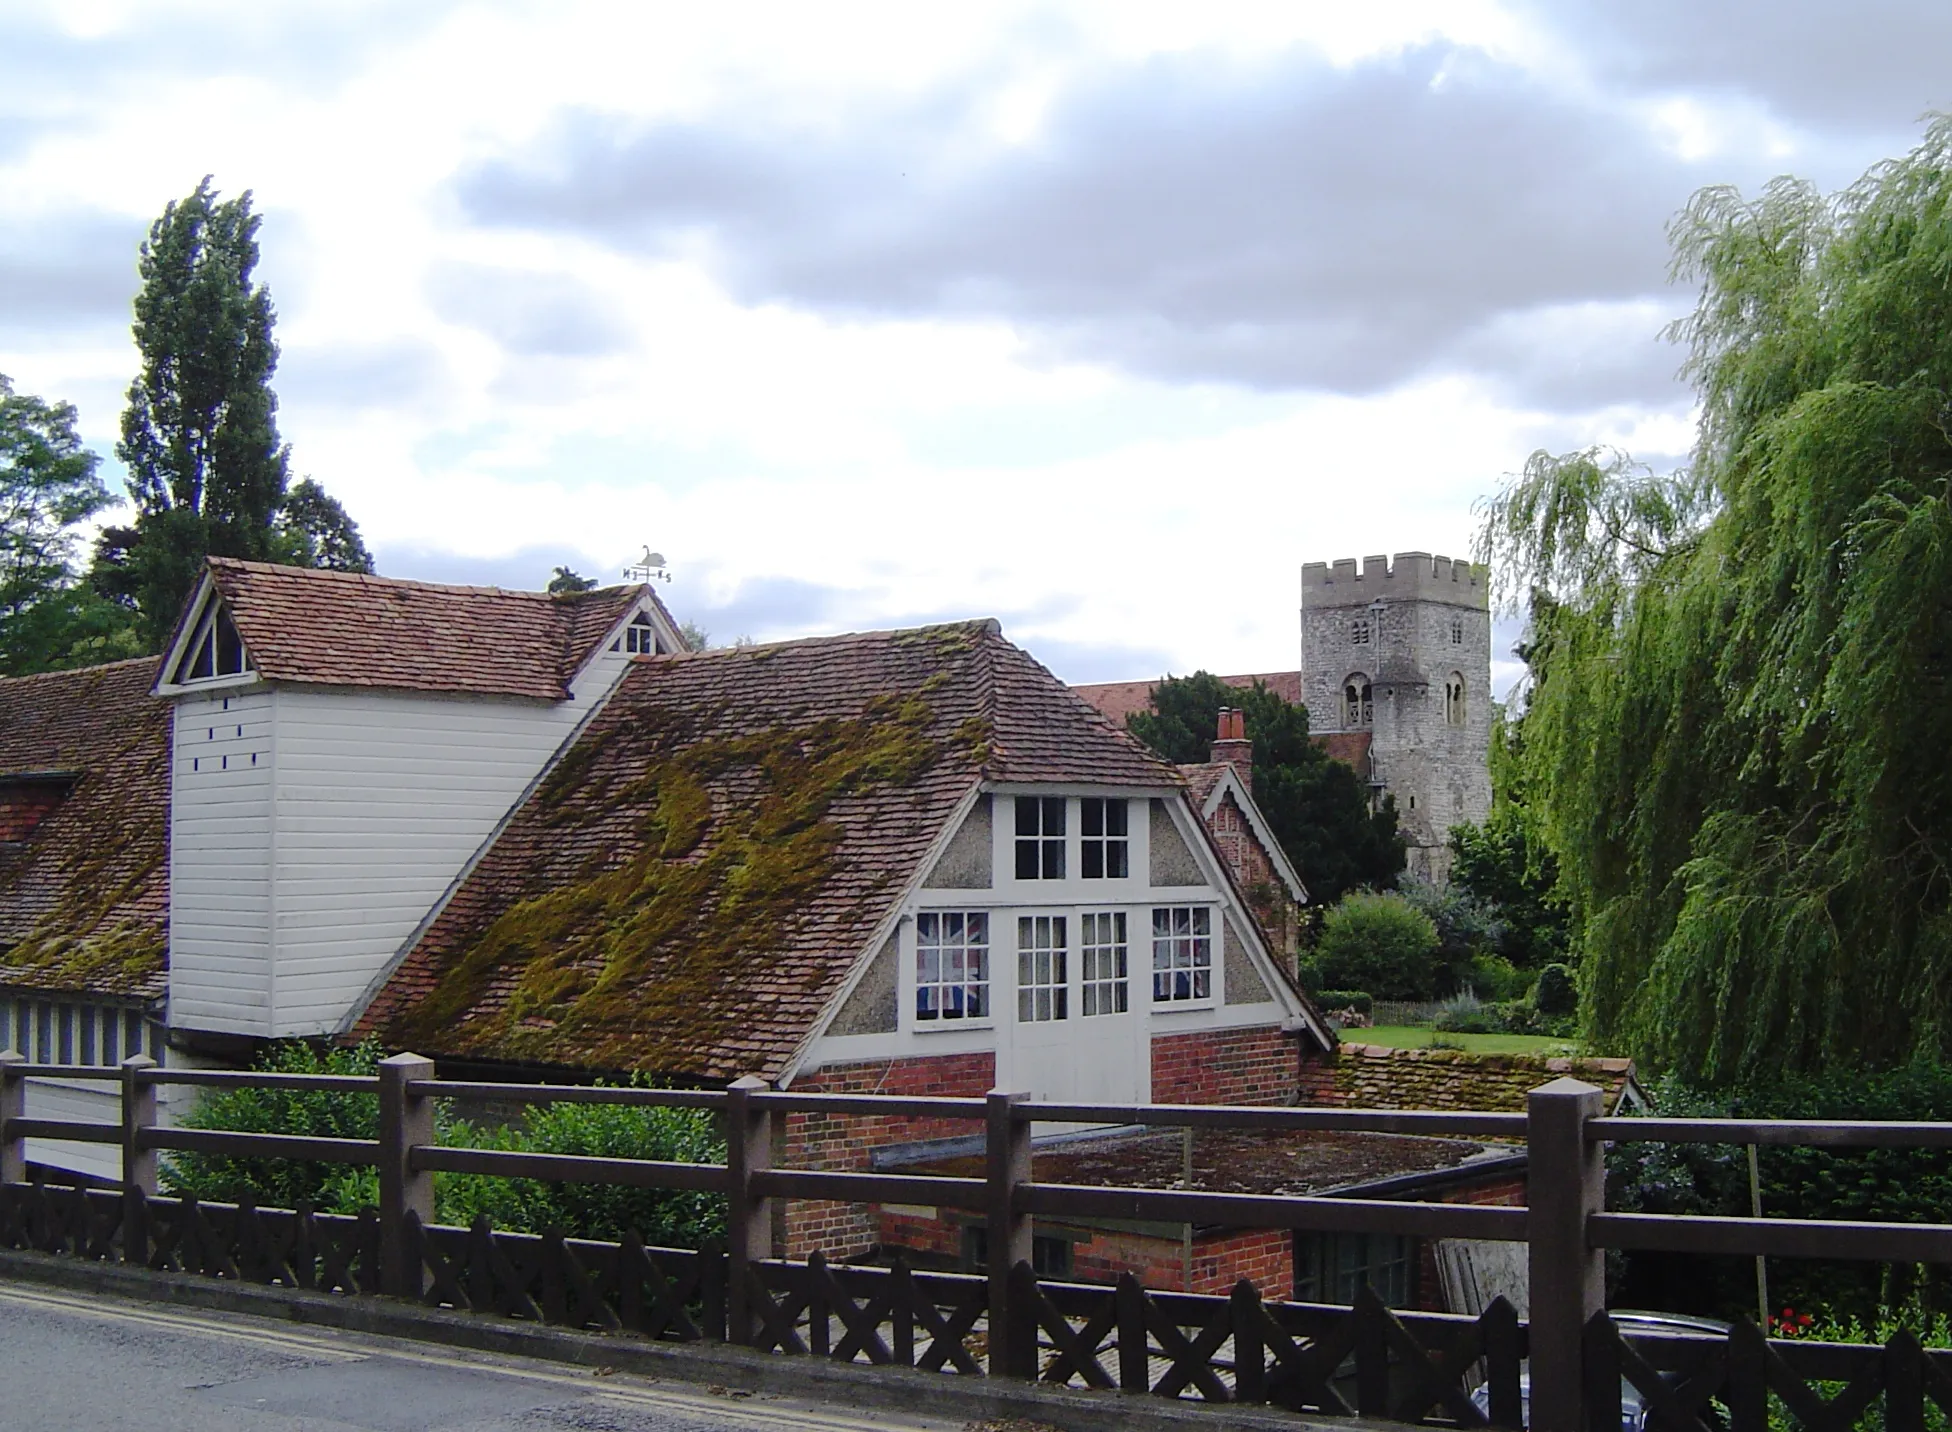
{"x":1065,"y":930}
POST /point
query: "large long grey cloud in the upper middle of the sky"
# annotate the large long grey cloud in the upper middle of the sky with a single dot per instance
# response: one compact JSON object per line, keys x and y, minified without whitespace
{"x":1285,"y":227}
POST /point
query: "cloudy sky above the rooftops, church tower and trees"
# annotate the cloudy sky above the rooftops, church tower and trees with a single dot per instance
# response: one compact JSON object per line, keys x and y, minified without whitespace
{"x":1098,"y":319}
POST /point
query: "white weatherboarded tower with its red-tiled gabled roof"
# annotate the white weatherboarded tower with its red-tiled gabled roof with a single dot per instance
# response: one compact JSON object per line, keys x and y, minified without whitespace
{"x":343,"y":746}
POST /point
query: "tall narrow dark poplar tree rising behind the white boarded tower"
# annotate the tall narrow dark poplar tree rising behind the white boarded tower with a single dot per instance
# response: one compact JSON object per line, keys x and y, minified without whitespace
{"x":208,"y":473}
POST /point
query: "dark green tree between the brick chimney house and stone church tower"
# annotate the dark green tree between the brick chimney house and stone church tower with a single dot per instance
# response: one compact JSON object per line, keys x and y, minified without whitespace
{"x":1317,"y":807}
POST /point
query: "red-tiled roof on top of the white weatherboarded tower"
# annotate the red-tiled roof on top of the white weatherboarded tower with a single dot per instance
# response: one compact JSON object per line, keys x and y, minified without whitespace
{"x":354,"y":631}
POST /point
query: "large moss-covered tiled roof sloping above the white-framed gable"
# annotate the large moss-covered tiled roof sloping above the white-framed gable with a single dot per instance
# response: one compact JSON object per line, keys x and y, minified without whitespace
{"x":690,"y":885}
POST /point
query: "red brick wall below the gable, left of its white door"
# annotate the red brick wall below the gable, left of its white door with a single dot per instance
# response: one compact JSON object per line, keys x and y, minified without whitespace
{"x":844,"y":1140}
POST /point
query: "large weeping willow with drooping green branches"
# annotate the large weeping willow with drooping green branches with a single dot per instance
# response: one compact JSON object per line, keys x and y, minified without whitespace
{"x":1738,"y":731}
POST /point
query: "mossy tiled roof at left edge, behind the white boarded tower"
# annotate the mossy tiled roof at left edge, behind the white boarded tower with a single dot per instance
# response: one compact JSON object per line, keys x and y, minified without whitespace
{"x":85,"y":900}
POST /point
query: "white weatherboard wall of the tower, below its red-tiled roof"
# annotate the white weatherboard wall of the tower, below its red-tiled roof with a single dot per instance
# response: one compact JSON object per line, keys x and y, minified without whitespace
{"x":300,"y":869}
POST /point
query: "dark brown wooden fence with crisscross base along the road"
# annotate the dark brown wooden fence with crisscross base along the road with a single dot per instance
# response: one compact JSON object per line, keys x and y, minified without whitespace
{"x":1563,"y":1371}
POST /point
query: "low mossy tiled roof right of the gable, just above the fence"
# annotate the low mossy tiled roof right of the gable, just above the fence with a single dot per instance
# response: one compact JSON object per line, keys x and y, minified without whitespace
{"x":1373,"y":1076}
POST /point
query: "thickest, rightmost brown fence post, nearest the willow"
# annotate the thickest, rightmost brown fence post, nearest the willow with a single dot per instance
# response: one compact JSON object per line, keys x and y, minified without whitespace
{"x":1566,"y":1181}
